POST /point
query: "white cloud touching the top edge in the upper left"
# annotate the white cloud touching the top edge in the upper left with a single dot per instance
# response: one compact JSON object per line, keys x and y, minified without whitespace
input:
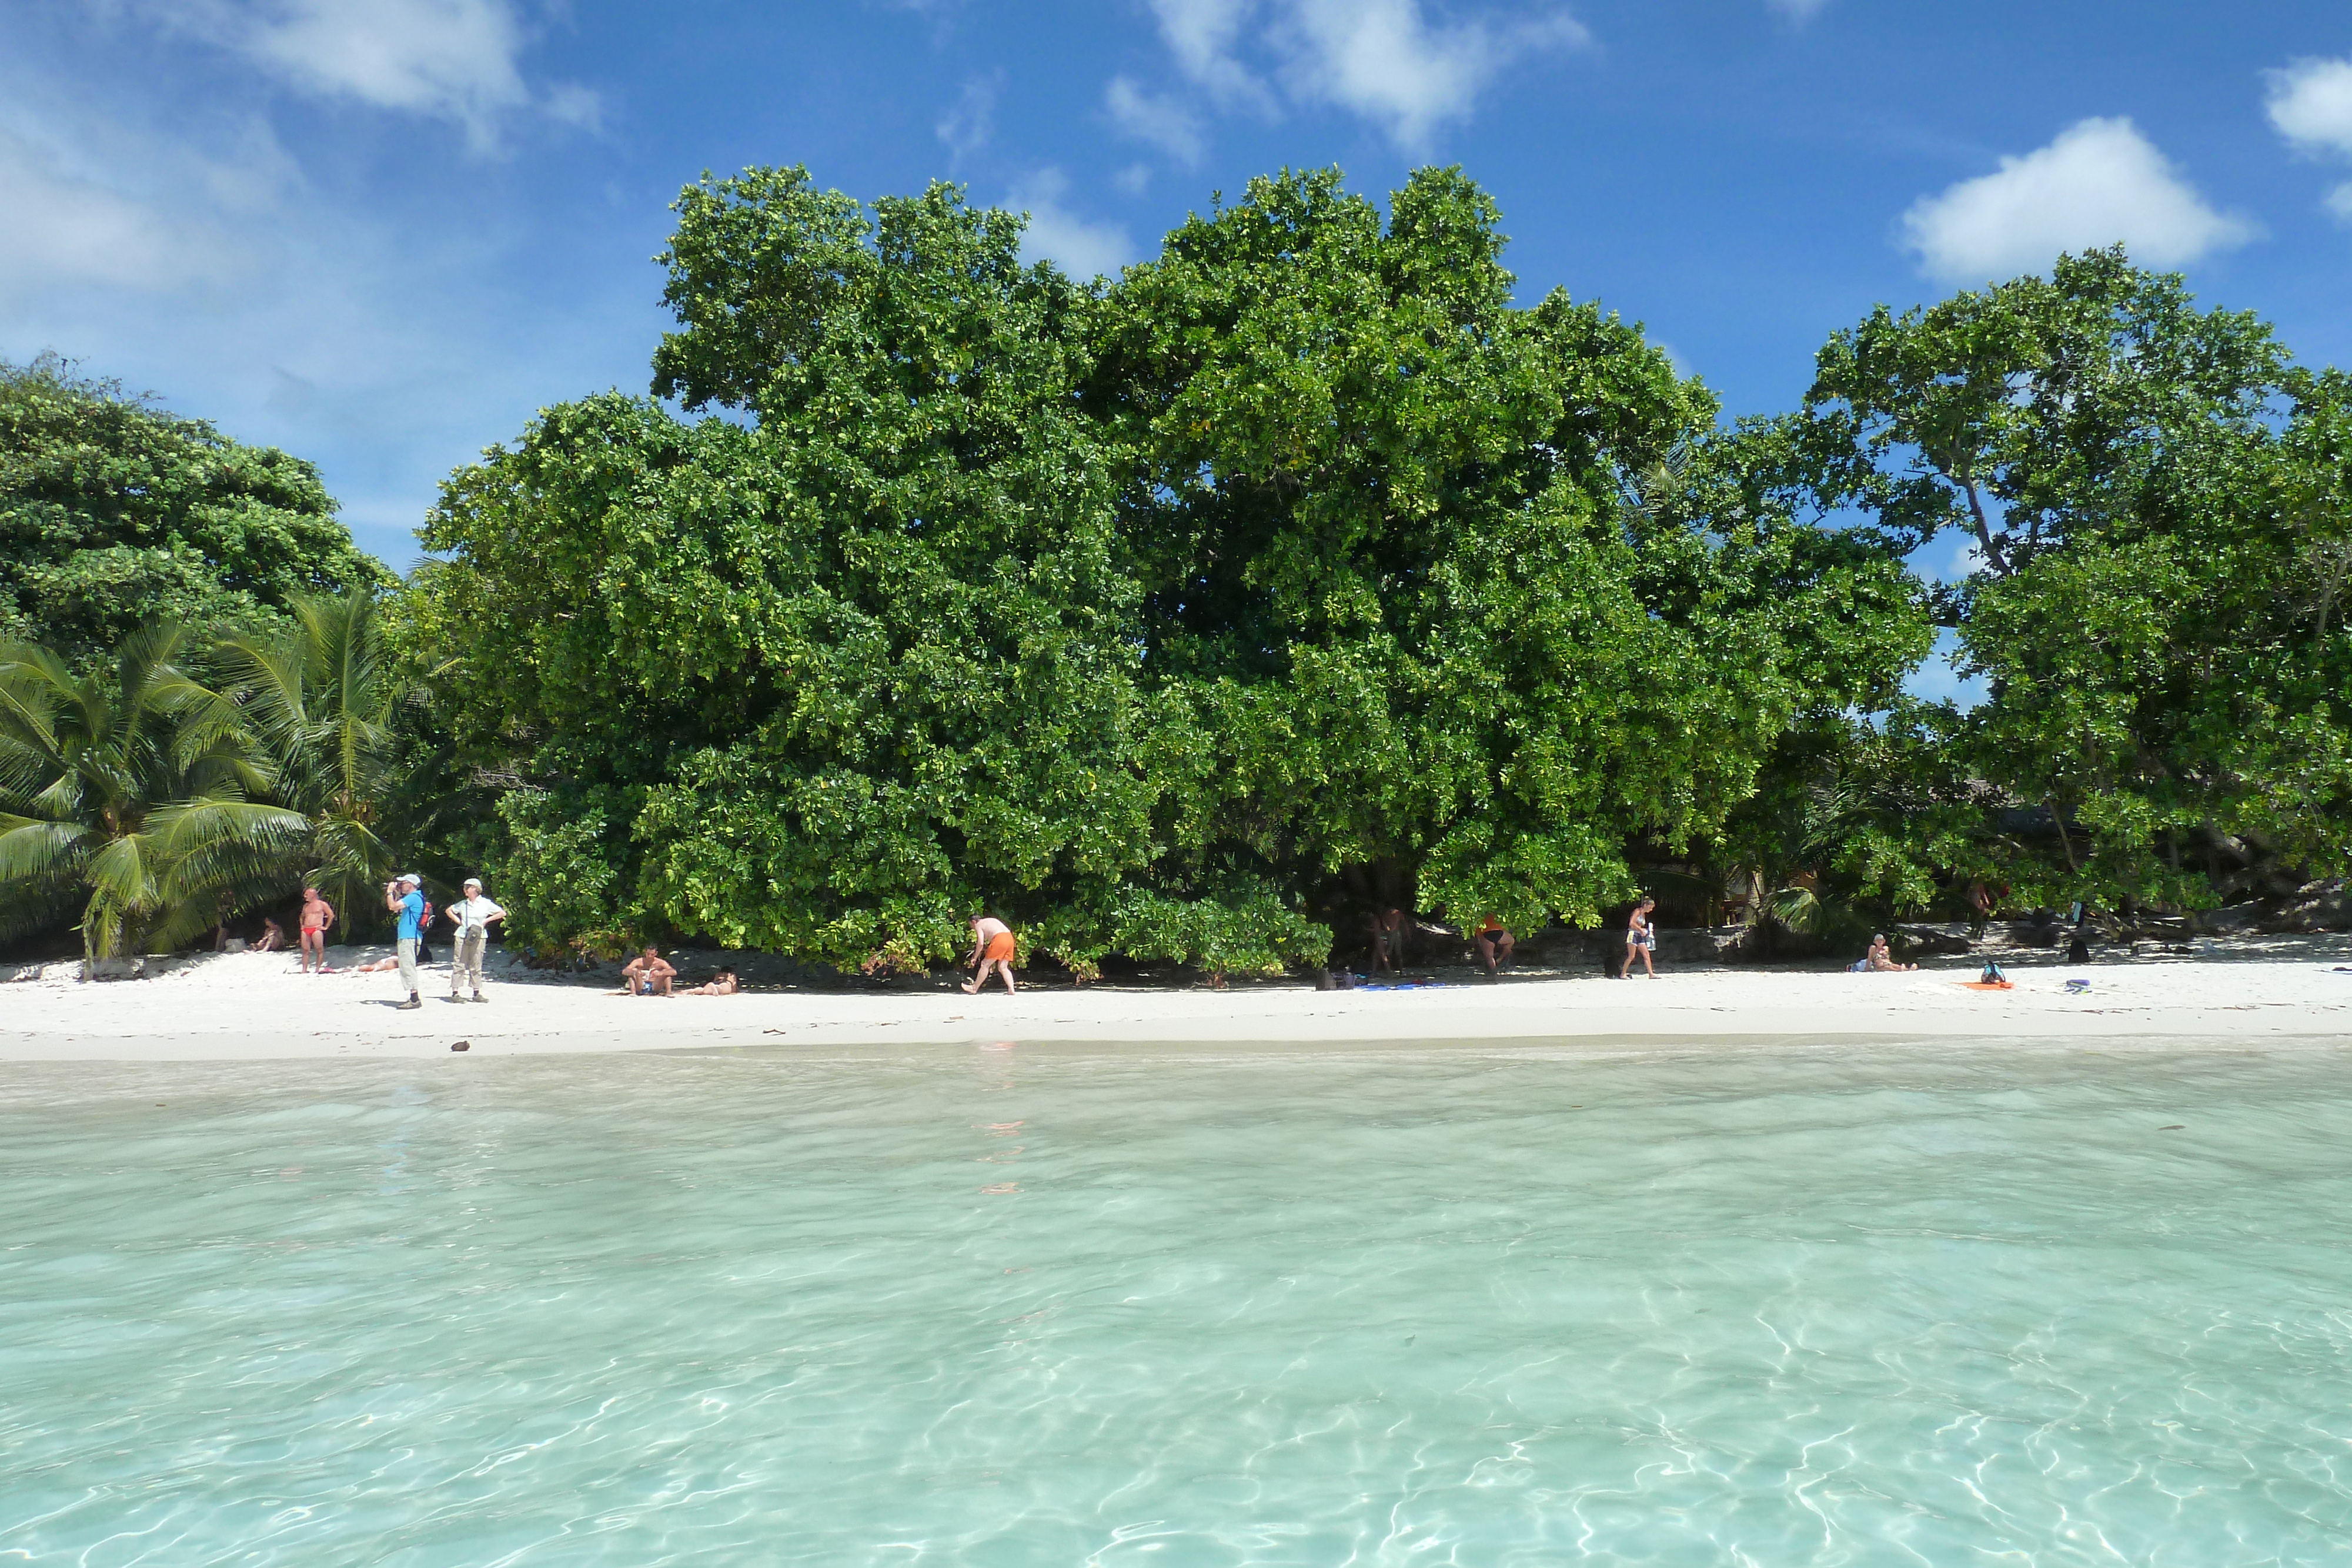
{"x":453,"y":60}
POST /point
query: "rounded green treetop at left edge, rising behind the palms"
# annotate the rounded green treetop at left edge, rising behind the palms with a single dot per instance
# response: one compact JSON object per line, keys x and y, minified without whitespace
{"x":116,"y":514}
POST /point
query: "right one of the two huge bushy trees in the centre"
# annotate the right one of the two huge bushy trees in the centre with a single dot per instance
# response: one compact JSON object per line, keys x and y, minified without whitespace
{"x":1457,"y":589}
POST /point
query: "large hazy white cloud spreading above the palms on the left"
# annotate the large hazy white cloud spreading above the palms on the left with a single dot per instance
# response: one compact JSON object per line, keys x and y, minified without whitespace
{"x":159,"y":234}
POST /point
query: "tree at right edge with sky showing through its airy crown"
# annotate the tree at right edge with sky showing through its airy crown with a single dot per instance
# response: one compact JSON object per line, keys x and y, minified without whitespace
{"x":2158,"y":507}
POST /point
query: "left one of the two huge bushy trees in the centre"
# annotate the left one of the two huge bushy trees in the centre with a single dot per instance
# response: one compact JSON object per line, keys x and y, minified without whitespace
{"x":846,"y":669}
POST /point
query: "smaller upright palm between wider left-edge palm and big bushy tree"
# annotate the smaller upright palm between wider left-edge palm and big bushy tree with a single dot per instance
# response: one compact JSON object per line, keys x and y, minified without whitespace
{"x":319,"y":697}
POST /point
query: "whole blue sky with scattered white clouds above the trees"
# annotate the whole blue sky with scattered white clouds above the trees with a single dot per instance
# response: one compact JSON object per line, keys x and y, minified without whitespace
{"x":385,"y":232}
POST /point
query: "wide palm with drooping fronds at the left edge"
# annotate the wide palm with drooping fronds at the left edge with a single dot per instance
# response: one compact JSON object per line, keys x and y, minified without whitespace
{"x":128,"y":793}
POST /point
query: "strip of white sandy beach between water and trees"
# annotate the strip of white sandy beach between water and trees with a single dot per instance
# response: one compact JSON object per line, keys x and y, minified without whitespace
{"x":260,"y":1007}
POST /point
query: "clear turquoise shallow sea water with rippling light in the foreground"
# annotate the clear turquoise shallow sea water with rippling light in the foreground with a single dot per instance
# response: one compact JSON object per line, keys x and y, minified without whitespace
{"x":1083,"y":1306}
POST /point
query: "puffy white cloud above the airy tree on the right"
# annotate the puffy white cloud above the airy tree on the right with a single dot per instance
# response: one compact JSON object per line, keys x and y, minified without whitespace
{"x":2097,"y":185}
